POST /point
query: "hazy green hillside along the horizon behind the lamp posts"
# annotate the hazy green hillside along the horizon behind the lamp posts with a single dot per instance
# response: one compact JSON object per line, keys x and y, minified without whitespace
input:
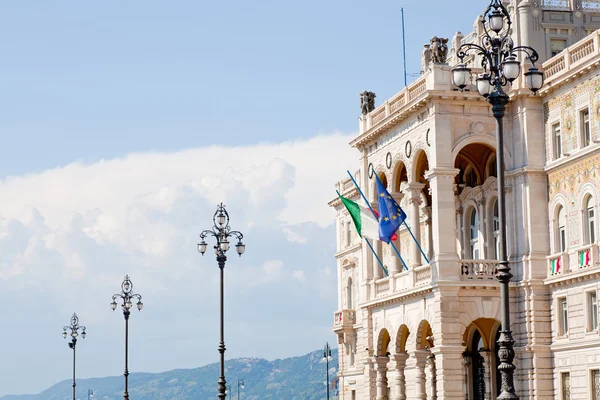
{"x":297,"y":378}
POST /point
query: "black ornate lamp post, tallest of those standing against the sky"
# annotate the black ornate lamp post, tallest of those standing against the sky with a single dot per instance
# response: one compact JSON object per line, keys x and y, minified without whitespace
{"x":222,"y":232}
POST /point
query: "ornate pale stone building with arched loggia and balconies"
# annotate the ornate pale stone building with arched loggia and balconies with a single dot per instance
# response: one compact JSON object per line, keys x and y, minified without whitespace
{"x":429,"y":331}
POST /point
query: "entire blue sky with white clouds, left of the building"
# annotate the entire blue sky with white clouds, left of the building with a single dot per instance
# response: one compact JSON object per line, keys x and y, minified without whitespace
{"x":123,"y":125}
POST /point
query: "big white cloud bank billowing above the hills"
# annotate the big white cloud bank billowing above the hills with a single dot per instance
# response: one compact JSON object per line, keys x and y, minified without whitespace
{"x":68,"y":236}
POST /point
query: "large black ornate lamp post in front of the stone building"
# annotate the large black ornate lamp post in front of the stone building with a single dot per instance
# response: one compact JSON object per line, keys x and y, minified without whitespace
{"x":499,"y":61}
